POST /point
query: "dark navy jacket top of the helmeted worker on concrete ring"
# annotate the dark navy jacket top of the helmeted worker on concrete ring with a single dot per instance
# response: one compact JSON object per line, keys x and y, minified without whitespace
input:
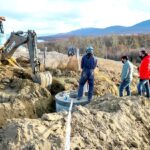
{"x":88,"y":63}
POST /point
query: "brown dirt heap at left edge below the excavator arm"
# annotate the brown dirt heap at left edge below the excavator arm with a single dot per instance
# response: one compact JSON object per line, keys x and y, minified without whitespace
{"x":20,"y":97}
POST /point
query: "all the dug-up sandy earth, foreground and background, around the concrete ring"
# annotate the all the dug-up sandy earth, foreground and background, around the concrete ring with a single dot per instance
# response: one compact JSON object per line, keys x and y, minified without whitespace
{"x":29,"y":119}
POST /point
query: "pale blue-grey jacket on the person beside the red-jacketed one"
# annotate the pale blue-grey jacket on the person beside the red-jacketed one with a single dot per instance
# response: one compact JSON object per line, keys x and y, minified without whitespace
{"x":127,"y":71}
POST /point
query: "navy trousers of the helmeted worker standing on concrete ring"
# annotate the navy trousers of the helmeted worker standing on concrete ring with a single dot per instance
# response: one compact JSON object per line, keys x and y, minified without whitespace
{"x":84,"y":78}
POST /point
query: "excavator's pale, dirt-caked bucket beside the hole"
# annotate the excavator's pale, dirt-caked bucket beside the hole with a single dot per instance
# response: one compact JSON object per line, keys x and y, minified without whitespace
{"x":43,"y":78}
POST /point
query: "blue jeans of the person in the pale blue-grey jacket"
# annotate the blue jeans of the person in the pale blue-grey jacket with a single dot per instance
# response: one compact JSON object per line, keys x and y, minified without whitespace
{"x":125,"y":84}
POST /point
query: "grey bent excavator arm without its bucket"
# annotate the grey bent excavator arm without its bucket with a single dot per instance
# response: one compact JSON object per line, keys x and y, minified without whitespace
{"x":17,"y":39}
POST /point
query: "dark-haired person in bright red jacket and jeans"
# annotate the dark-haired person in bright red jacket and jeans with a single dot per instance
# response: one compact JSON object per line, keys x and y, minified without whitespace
{"x":144,"y":73}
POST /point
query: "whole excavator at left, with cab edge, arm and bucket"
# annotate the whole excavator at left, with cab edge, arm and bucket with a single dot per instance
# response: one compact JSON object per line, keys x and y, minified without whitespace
{"x":17,"y":39}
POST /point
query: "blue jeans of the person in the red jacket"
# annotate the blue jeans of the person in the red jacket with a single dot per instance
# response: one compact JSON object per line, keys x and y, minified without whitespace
{"x":143,"y":84}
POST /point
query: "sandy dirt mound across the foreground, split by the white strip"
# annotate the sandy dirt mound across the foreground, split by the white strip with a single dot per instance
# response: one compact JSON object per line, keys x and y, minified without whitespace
{"x":108,"y":123}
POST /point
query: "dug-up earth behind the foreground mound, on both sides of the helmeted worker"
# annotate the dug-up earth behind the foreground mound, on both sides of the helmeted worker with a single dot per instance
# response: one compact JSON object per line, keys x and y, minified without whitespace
{"x":20,"y":97}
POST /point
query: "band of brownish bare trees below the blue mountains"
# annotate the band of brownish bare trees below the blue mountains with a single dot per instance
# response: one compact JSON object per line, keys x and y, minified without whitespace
{"x":111,"y":47}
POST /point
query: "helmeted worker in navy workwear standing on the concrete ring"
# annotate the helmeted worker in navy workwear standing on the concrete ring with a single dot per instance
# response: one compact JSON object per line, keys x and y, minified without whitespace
{"x":88,"y":64}
